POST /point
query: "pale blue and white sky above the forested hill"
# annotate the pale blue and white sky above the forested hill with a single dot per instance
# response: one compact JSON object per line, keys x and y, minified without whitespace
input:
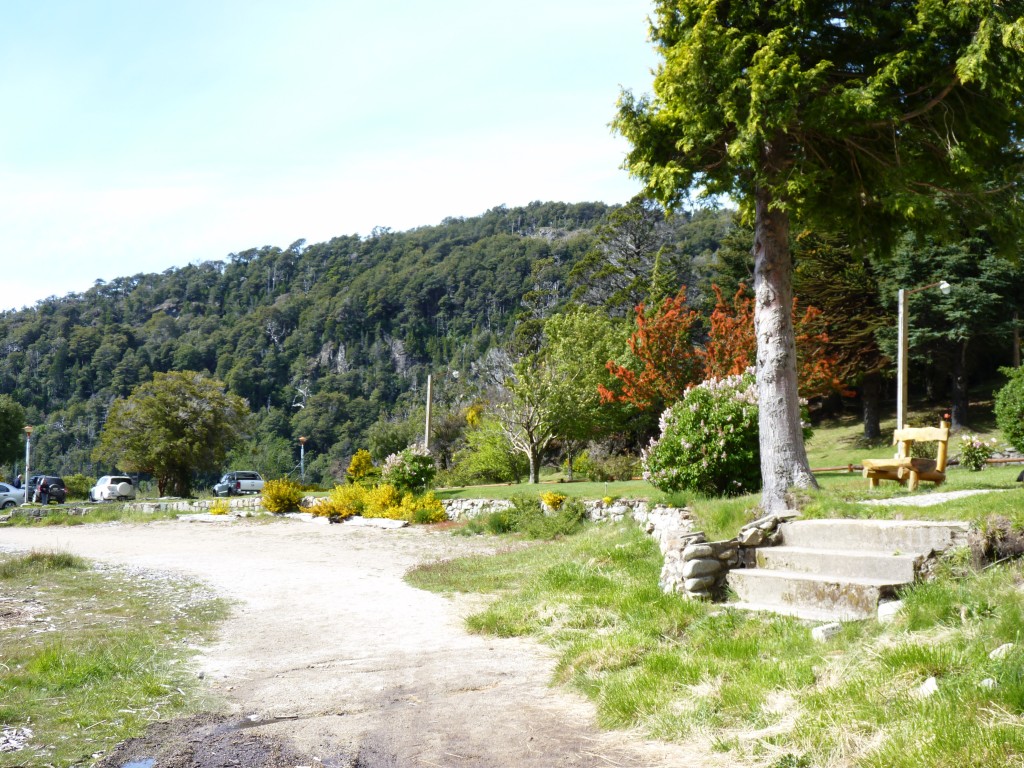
{"x":140,"y":137}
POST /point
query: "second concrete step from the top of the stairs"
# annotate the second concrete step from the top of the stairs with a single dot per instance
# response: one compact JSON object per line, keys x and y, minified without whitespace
{"x":842,"y":564}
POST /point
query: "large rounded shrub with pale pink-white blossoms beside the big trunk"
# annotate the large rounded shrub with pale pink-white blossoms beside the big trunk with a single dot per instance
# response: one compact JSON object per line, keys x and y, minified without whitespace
{"x":709,"y":441}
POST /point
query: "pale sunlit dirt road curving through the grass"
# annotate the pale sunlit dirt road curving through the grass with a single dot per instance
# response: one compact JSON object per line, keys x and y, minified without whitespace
{"x":367,"y":670}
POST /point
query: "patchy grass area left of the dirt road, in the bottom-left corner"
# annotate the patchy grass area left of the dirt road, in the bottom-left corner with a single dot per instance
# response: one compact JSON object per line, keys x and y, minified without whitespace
{"x":90,"y":658}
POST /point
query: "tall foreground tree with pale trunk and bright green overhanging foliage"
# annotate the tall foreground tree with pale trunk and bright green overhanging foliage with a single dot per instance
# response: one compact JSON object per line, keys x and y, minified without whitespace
{"x":866,"y":114}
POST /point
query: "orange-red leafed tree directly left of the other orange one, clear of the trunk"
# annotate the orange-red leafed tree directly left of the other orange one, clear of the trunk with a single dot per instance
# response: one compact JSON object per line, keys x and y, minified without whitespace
{"x":668,"y":361}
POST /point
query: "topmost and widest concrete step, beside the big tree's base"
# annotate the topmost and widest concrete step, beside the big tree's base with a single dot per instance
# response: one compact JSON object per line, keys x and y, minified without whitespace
{"x":901,"y":537}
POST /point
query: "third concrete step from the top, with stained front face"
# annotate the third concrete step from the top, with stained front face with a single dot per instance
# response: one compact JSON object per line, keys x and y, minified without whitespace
{"x":844,"y":599}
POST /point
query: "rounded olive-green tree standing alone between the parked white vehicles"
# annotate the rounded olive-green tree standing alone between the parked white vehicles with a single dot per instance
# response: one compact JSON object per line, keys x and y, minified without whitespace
{"x":172,"y":428}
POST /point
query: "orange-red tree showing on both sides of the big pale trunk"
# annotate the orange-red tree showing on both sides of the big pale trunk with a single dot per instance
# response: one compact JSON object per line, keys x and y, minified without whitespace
{"x":732,"y":345}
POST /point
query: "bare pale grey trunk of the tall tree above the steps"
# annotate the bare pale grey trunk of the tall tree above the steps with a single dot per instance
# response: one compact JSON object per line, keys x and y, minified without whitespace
{"x":784,"y":458}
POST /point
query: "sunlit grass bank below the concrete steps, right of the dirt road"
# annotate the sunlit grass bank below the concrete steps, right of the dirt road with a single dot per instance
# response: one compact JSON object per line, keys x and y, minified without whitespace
{"x":757,"y":686}
